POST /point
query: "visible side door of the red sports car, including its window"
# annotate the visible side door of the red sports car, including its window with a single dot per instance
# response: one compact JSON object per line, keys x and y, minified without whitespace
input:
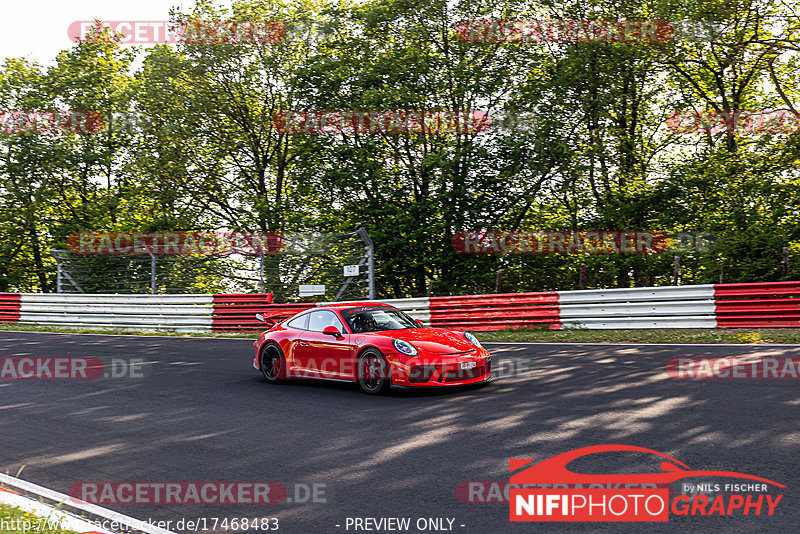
{"x":323,"y":353}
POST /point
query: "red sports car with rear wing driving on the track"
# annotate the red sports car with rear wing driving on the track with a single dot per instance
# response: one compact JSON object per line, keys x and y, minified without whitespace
{"x":373,"y":344}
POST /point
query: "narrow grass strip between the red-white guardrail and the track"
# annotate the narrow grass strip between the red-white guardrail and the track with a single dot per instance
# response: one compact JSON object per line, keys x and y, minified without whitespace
{"x":665,"y":335}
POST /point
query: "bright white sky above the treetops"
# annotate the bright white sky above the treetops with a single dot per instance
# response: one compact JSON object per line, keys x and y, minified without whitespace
{"x":37,"y":29}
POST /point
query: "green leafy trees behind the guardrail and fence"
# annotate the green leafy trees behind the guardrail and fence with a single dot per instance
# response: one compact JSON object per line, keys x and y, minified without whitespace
{"x":579,"y":141}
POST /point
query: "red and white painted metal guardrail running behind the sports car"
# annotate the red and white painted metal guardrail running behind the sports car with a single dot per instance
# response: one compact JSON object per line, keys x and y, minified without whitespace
{"x":750,"y":305}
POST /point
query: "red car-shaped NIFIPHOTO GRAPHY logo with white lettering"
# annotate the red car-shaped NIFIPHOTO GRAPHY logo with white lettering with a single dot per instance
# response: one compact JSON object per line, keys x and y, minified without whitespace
{"x":565,"y":495}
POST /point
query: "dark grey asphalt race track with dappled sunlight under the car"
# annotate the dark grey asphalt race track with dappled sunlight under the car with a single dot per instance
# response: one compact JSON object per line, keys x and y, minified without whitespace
{"x":202,"y":413}
